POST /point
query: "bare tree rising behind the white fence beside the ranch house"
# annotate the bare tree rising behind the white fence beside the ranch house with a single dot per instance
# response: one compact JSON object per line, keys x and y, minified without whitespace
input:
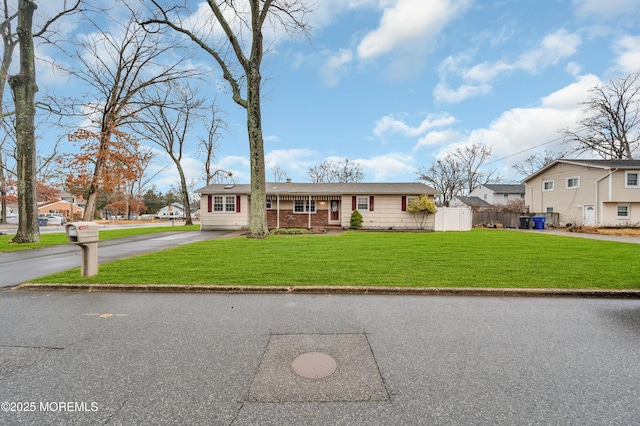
{"x":446,"y":177}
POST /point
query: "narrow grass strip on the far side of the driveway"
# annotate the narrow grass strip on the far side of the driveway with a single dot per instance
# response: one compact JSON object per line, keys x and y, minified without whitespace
{"x":47,"y":240}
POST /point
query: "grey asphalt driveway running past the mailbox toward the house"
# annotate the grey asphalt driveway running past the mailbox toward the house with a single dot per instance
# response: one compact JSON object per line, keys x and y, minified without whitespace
{"x":21,"y":266}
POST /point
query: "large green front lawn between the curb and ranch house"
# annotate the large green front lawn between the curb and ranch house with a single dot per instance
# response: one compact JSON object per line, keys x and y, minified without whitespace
{"x":481,"y":258}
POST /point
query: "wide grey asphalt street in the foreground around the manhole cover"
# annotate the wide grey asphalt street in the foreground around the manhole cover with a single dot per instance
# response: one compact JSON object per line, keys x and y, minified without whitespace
{"x":225,"y":359}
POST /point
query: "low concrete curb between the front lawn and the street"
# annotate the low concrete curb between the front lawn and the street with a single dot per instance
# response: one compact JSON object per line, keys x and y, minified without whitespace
{"x":357,"y":290}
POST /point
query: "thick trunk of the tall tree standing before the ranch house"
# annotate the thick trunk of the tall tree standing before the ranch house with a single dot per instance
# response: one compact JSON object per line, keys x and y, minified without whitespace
{"x":258,"y":220}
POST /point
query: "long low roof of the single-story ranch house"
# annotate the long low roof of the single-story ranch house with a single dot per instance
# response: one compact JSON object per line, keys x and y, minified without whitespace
{"x":273,"y":188}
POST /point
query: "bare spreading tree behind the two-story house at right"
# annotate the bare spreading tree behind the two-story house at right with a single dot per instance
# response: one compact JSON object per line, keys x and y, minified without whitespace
{"x":611,"y":128}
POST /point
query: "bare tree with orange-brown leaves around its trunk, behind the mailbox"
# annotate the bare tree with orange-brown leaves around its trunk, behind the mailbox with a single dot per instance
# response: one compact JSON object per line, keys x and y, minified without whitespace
{"x":120,"y":66}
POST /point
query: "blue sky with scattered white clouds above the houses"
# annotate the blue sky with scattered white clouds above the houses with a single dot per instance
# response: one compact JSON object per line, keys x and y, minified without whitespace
{"x":394,"y":85}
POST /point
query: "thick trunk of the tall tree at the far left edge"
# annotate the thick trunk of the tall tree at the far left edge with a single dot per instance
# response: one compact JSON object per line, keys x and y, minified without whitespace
{"x":24,"y":89}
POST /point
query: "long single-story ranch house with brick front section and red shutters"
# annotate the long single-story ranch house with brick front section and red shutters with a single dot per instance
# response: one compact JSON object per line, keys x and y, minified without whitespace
{"x":315,"y":205}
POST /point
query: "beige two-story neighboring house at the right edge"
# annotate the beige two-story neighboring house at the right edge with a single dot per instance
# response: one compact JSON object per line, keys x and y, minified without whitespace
{"x":587,"y":192}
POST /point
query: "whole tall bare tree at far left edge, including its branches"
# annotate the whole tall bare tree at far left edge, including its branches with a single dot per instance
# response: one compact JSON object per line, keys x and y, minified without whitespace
{"x":23,"y":86}
